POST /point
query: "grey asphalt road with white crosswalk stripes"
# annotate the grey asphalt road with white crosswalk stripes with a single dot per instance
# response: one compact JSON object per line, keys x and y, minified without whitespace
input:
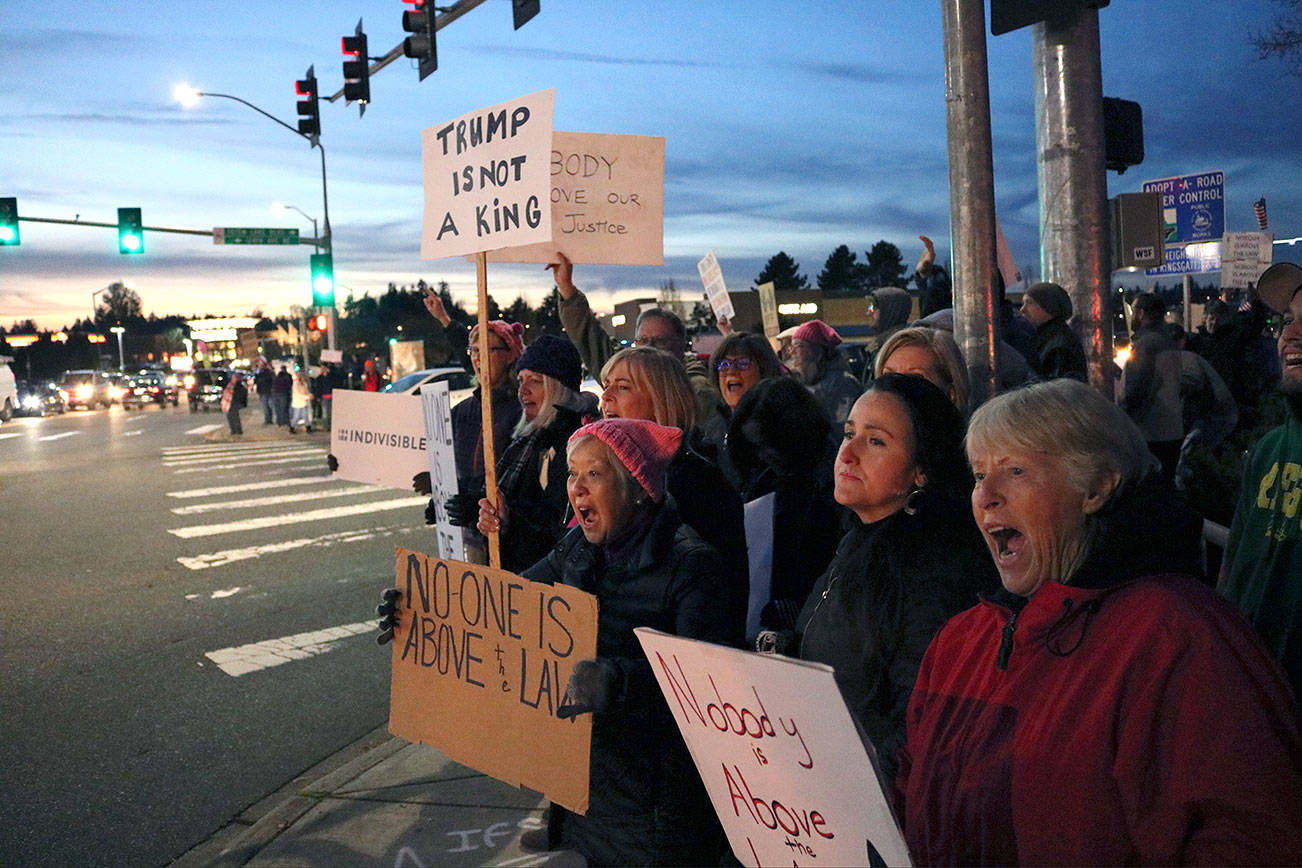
{"x":139,"y":562}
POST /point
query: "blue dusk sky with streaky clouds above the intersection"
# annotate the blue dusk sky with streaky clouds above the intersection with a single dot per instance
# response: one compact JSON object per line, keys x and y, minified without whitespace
{"x":794,"y":127}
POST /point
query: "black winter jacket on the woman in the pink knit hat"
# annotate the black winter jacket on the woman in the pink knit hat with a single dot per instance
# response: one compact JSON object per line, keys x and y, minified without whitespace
{"x":646,"y":802}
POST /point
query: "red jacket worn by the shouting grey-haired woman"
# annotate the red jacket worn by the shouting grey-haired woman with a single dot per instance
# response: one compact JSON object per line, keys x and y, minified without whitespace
{"x":1141,"y":724}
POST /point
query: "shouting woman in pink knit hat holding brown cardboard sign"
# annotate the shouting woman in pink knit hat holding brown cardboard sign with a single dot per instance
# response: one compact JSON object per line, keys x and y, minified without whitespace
{"x":646,"y":568}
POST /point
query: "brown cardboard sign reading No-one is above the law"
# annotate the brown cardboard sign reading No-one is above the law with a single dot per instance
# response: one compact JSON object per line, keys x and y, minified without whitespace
{"x":481,"y":660}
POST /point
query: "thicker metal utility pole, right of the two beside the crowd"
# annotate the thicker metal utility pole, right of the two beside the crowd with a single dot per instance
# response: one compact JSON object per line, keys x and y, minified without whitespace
{"x":1075,"y":251}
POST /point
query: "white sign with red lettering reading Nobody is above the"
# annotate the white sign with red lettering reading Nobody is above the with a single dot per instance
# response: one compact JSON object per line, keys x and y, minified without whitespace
{"x":781,"y":755}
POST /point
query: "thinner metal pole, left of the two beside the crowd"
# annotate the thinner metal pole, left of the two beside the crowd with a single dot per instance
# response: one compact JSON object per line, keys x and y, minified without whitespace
{"x":972,"y":193}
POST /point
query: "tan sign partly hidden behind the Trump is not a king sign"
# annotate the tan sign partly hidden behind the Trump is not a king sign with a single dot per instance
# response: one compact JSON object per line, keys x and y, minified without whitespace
{"x":607,"y":198}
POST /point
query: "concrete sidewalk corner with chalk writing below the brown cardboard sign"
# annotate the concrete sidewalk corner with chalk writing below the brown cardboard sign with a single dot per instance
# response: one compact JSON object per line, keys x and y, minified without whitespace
{"x":385,"y":802}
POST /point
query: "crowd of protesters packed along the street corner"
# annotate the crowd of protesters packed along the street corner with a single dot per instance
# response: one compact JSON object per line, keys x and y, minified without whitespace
{"x":1012,"y":595}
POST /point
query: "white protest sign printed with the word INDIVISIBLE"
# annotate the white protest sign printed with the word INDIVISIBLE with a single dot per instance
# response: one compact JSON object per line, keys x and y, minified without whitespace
{"x":377,"y":438}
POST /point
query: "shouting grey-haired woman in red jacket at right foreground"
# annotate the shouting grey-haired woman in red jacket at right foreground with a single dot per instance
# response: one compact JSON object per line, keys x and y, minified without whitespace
{"x":1105,"y":707}
